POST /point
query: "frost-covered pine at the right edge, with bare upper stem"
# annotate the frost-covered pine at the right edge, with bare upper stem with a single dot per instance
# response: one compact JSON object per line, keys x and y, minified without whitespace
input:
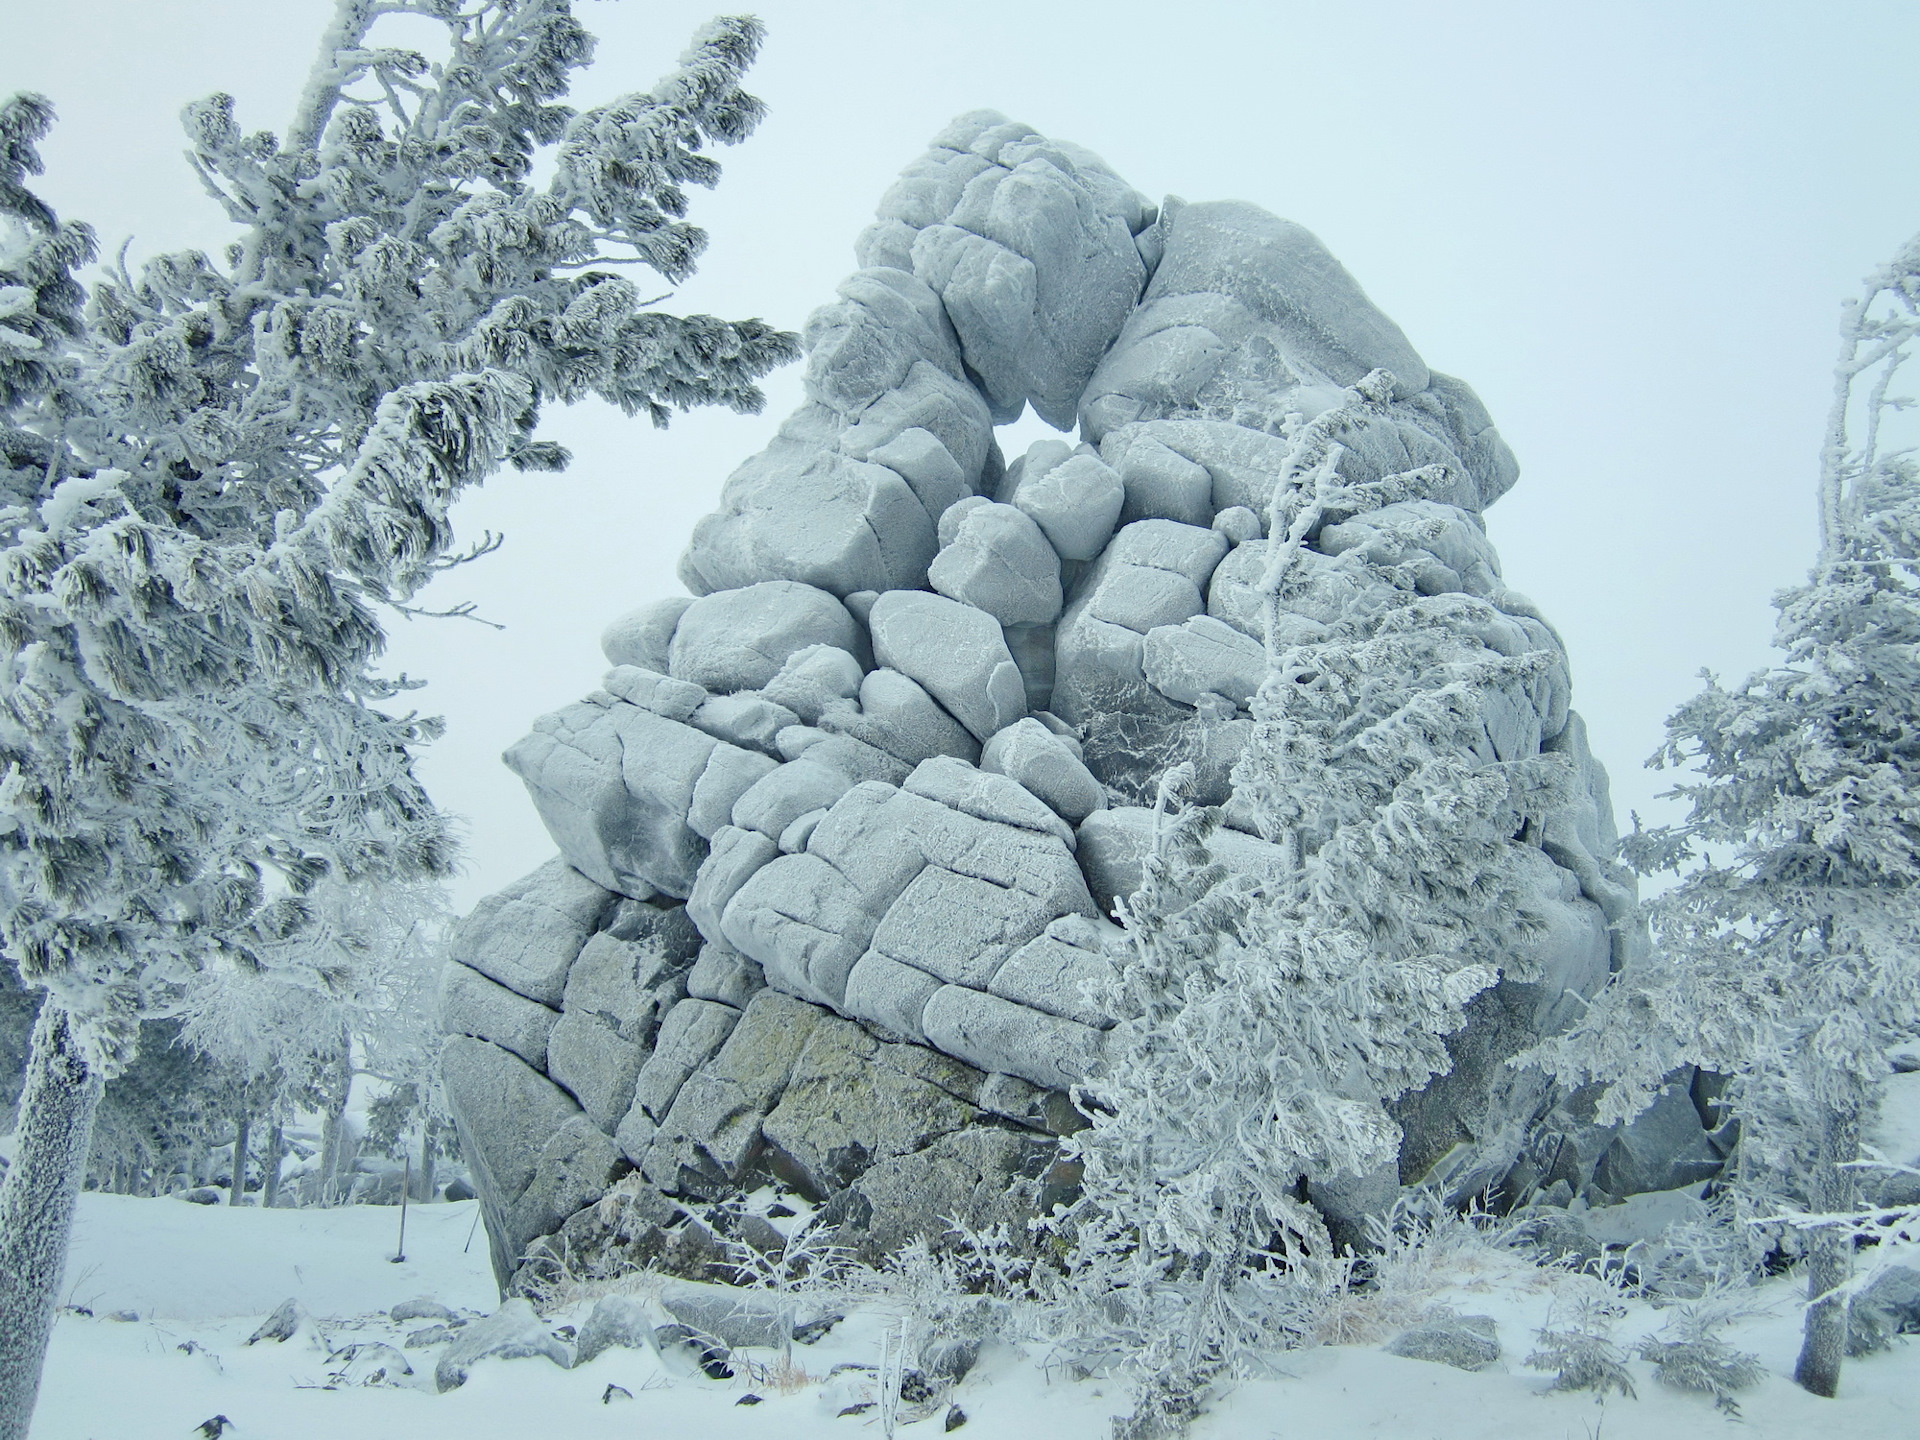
{"x":1788,"y":953}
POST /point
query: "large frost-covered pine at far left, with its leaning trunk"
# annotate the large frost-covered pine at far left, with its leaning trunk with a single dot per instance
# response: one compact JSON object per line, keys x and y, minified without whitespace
{"x":216,"y":473}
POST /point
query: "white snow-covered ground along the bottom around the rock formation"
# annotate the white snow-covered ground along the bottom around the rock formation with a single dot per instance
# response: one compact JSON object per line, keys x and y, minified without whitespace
{"x":201,"y":1280}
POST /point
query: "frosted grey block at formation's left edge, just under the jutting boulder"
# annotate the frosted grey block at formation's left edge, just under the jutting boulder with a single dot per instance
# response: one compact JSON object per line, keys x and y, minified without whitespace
{"x":529,"y":934}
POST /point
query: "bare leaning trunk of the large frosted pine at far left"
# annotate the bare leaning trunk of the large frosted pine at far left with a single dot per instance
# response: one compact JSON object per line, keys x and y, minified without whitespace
{"x":37,"y":1201}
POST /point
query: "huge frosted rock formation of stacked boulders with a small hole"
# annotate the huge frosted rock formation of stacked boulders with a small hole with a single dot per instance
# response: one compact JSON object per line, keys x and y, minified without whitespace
{"x":842,"y":832}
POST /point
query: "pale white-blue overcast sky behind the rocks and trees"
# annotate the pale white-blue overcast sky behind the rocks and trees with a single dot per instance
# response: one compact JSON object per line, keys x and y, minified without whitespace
{"x":1627,"y":226}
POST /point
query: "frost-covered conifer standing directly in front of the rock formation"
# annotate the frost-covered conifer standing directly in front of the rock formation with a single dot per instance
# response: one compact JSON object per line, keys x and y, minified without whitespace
{"x":1266,"y":1022}
